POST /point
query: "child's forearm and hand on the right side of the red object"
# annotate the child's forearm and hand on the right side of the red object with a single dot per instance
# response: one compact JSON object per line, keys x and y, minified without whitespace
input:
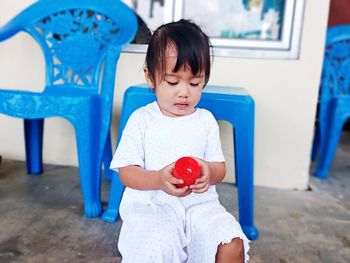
{"x":211,"y":173}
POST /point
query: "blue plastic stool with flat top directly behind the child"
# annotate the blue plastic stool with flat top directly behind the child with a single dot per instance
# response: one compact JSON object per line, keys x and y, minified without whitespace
{"x":230,"y":104}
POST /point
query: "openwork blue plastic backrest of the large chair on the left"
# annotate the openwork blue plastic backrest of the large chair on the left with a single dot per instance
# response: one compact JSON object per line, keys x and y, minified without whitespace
{"x":75,"y":36}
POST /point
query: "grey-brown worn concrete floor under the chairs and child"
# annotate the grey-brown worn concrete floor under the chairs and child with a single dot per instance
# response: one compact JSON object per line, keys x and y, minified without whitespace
{"x":41,"y":218}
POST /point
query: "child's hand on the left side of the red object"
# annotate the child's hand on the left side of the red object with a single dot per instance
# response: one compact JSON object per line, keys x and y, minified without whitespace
{"x":167,"y":182}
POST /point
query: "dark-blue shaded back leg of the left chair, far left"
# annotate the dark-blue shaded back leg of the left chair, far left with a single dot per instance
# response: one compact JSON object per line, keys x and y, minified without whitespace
{"x":33,"y":136}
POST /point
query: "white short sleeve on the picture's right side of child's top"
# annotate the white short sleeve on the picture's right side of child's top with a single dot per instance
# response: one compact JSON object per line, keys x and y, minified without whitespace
{"x":213,"y":152}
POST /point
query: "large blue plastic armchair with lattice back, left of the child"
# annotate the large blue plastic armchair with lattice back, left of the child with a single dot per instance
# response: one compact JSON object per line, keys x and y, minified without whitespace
{"x":81,"y":41}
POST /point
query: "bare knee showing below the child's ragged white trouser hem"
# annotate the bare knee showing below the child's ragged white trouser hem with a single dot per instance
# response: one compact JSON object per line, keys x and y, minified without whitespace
{"x":231,"y":253}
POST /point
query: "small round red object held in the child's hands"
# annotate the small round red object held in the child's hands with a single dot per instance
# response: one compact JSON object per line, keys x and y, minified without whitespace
{"x":187,"y":169}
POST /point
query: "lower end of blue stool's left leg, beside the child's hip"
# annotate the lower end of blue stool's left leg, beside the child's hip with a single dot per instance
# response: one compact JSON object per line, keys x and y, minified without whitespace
{"x":115,"y":196}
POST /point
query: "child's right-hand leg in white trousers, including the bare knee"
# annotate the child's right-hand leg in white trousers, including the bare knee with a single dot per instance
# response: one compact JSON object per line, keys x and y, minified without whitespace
{"x":215,"y":235}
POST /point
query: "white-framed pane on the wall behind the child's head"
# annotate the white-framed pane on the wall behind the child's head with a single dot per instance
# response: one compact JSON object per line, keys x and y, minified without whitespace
{"x":237,"y":28}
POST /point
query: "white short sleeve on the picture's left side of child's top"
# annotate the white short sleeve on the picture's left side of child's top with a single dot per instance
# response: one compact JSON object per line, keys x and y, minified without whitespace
{"x":130,"y":150}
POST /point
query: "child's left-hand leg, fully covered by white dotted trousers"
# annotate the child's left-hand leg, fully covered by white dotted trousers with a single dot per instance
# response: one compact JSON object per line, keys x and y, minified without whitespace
{"x":151,"y":234}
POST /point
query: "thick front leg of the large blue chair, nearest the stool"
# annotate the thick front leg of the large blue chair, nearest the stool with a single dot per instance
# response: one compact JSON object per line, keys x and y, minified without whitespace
{"x":89,"y":167}
